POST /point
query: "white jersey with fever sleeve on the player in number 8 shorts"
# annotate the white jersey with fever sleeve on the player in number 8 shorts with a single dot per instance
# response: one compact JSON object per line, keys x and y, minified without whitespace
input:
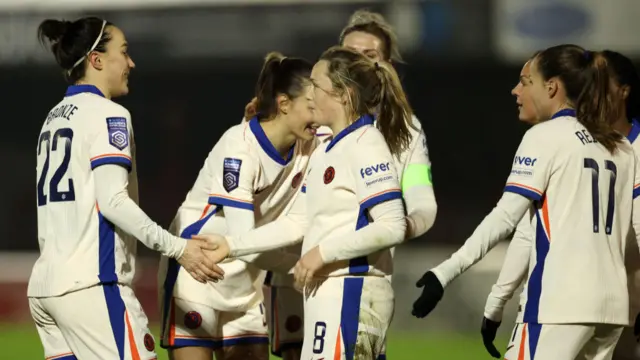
{"x":350,"y":173}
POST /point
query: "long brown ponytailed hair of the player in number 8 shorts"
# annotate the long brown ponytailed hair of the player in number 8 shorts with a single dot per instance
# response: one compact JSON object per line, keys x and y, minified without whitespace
{"x":372,"y":86}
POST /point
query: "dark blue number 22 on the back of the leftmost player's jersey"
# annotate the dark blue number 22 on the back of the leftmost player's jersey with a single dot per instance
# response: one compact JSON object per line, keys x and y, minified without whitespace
{"x":64,"y":135}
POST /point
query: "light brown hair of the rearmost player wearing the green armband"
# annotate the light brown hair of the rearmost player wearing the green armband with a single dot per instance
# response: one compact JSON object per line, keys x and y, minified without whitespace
{"x":374,"y":24}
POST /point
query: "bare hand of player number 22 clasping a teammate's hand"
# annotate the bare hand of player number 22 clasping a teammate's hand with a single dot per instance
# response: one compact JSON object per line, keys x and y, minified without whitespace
{"x":199,"y":266}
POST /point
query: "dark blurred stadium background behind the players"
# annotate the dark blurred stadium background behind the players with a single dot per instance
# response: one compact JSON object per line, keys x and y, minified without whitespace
{"x":196,"y":68}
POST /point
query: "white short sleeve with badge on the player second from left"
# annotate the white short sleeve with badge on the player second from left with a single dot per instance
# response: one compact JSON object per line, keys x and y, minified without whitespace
{"x":233,"y":177}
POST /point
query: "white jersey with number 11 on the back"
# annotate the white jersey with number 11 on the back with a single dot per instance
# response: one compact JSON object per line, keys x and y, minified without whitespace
{"x":583,"y":199}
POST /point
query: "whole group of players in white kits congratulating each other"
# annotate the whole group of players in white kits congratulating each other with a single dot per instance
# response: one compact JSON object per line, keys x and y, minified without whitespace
{"x":309,"y":194}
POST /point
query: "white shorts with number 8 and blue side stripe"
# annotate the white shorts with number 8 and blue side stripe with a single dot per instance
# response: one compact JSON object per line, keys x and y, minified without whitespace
{"x":345,"y":316}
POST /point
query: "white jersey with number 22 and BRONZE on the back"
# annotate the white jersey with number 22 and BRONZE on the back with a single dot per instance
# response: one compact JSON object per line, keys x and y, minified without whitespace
{"x":78,"y":246}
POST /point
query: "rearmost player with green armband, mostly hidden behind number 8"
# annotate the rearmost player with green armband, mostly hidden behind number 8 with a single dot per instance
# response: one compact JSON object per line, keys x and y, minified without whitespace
{"x":370,"y":34}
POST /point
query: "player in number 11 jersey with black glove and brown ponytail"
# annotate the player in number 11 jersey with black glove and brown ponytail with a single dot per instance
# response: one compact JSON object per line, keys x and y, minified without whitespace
{"x":580,"y":175}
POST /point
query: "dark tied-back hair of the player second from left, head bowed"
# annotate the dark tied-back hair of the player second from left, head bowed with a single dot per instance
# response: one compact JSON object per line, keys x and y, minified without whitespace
{"x":280,"y":75}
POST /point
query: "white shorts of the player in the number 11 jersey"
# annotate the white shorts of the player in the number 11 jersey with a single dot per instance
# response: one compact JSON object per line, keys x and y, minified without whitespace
{"x":563,"y":341}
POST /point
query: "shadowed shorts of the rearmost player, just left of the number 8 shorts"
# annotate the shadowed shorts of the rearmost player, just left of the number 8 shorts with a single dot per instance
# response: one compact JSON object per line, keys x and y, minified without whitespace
{"x":286,"y":313}
